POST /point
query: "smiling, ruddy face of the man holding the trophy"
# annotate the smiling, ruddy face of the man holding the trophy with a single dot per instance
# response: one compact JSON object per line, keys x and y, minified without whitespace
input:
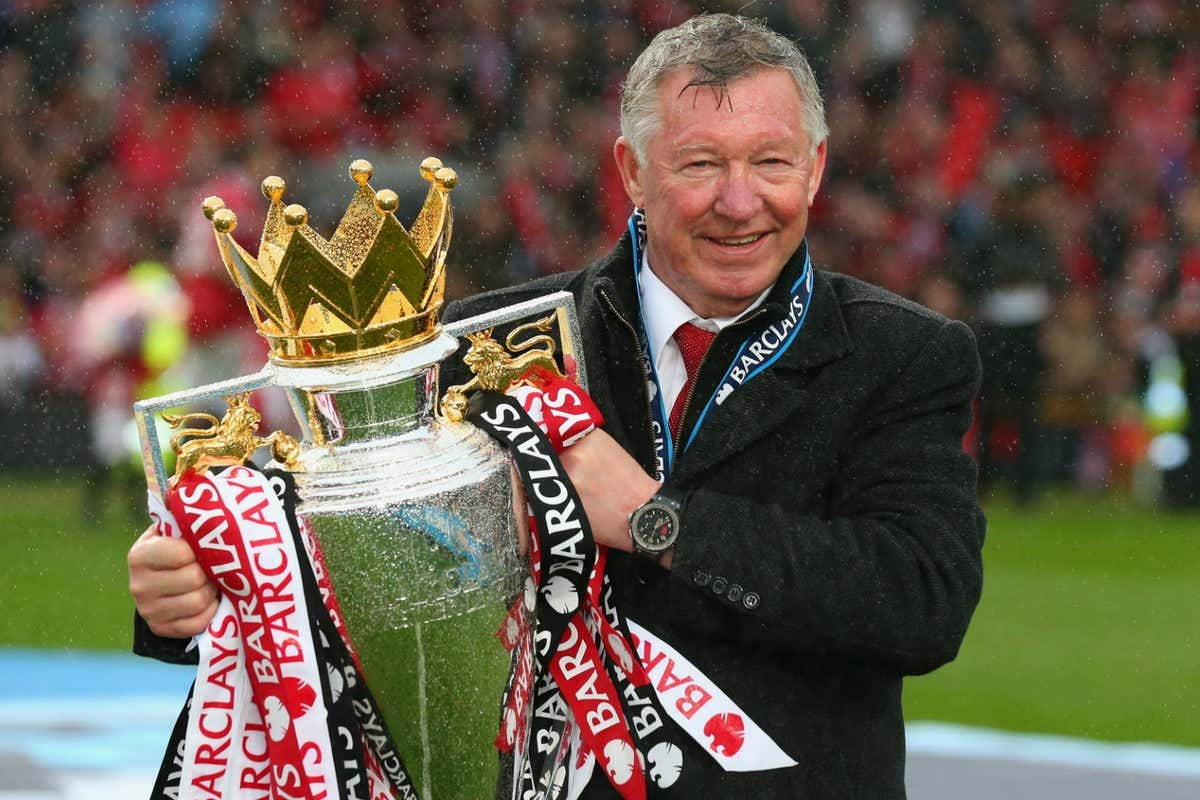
{"x":727,"y":187}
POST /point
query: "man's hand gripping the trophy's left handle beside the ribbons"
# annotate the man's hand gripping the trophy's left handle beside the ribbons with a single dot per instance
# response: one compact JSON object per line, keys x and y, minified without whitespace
{"x":172,"y":593}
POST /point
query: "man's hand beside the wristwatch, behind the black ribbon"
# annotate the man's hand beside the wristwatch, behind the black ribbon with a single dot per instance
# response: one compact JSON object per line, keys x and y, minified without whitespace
{"x":611,"y":485}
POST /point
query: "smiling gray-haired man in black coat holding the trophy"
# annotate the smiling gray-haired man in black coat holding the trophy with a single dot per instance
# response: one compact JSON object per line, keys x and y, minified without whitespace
{"x":781,"y":474}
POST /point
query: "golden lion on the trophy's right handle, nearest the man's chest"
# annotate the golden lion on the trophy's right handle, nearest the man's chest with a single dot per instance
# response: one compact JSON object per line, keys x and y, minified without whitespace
{"x":497,"y":370}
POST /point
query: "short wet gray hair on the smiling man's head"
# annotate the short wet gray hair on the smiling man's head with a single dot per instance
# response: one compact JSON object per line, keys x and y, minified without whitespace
{"x":718,"y":49}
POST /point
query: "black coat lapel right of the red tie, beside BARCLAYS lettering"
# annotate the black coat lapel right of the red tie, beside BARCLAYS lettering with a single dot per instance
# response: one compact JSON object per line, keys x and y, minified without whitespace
{"x":766,"y":402}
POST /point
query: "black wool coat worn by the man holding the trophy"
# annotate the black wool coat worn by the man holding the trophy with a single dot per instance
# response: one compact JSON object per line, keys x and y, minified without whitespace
{"x":831,"y":538}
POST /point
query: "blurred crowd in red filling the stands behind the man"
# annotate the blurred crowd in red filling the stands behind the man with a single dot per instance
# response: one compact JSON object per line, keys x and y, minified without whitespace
{"x":1029,"y":167}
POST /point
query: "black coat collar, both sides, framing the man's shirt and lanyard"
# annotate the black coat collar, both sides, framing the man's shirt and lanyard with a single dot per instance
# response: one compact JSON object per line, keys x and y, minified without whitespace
{"x":610,"y":297}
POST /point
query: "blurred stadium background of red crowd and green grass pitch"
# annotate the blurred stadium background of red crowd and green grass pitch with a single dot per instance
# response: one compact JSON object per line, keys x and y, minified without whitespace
{"x":1029,"y":167}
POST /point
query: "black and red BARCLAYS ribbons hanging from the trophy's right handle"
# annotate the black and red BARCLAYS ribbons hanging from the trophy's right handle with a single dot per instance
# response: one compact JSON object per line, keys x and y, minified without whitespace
{"x":589,"y":685}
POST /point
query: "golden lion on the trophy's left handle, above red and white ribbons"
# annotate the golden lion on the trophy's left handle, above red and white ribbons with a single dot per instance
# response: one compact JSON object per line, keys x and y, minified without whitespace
{"x":226,"y":442}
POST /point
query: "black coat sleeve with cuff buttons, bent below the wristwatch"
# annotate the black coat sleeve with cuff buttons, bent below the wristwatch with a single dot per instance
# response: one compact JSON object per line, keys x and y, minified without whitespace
{"x":891,"y":576}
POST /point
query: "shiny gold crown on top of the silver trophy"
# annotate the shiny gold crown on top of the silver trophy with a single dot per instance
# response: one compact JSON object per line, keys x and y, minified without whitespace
{"x":371,"y":288}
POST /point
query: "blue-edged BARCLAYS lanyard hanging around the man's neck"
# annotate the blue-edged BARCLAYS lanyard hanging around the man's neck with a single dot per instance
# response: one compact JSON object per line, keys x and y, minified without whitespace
{"x":757,"y":353}
